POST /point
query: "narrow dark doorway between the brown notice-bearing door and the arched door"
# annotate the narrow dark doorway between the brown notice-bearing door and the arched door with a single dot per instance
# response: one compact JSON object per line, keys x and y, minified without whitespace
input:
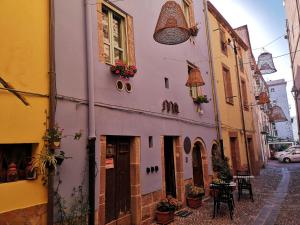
{"x":169,"y":166}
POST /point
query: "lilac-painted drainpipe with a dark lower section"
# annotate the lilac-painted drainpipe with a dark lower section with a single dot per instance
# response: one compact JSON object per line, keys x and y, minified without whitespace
{"x":91,"y":109}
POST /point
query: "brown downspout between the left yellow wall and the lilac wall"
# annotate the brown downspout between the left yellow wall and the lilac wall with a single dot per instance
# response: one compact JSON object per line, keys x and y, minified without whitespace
{"x":52,"y":105}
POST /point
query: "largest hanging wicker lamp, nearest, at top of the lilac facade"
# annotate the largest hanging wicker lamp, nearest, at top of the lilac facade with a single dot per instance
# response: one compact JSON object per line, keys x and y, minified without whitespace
{"x":171,"y":27}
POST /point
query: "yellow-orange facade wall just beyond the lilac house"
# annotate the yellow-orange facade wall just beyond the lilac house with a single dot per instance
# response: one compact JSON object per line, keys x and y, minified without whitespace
{"x":230,"y":115}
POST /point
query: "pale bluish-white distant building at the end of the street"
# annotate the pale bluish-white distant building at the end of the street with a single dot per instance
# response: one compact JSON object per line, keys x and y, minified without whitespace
{"x":278,"y":96}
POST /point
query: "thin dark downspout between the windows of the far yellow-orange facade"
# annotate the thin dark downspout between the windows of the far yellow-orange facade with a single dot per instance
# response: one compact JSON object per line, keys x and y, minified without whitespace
{"x":241,"y":106}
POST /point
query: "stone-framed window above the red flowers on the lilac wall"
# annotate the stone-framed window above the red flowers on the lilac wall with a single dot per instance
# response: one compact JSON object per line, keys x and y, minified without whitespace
{"x":115,"y":35}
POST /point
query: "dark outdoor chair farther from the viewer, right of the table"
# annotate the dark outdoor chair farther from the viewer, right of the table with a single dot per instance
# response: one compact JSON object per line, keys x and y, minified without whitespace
{"x":244,"y":183}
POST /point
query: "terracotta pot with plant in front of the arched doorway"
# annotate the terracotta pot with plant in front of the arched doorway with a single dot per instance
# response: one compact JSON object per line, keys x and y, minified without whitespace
{"x":194,"y":196}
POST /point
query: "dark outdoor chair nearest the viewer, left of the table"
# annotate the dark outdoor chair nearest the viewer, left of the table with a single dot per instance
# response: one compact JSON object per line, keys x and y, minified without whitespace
{"x":223,"y":194}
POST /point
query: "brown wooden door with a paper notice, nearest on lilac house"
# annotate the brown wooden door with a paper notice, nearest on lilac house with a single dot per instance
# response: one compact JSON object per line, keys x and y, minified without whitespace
{"x":117,"y":192}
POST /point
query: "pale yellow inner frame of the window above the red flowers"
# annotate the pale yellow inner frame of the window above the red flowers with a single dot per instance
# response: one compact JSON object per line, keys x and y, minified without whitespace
{"x":112,"y":11}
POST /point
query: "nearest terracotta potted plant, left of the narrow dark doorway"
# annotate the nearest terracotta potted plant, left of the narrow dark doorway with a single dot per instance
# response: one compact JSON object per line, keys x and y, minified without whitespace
{"x":165,"y":212}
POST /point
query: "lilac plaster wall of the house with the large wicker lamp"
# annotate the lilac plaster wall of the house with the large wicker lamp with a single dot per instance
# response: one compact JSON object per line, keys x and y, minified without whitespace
{"x":138,"y":113}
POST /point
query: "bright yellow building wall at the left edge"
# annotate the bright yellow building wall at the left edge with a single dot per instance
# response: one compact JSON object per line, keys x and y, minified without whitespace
{"x":23,"y":64}
